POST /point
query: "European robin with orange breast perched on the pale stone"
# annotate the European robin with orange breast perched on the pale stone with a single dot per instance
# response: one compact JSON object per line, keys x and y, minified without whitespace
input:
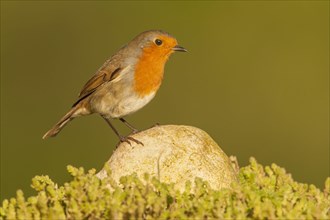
{"x":125,"y":83}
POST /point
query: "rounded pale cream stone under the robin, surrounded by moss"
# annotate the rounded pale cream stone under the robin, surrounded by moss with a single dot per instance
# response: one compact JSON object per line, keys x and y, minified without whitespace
{"x":173,"y":154}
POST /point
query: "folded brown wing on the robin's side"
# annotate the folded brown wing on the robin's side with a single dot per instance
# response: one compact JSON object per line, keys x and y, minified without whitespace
{"x":105,"y":74}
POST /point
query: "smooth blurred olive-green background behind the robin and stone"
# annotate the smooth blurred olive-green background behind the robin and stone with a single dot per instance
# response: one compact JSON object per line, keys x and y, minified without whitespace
{"x":256,"y":78}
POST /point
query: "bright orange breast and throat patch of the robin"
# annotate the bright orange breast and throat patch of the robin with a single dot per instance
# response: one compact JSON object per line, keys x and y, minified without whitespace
{"x":149,"y":71}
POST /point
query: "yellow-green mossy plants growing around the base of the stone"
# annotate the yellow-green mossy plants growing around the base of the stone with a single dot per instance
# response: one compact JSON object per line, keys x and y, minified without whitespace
{"x":261,"y":193}
